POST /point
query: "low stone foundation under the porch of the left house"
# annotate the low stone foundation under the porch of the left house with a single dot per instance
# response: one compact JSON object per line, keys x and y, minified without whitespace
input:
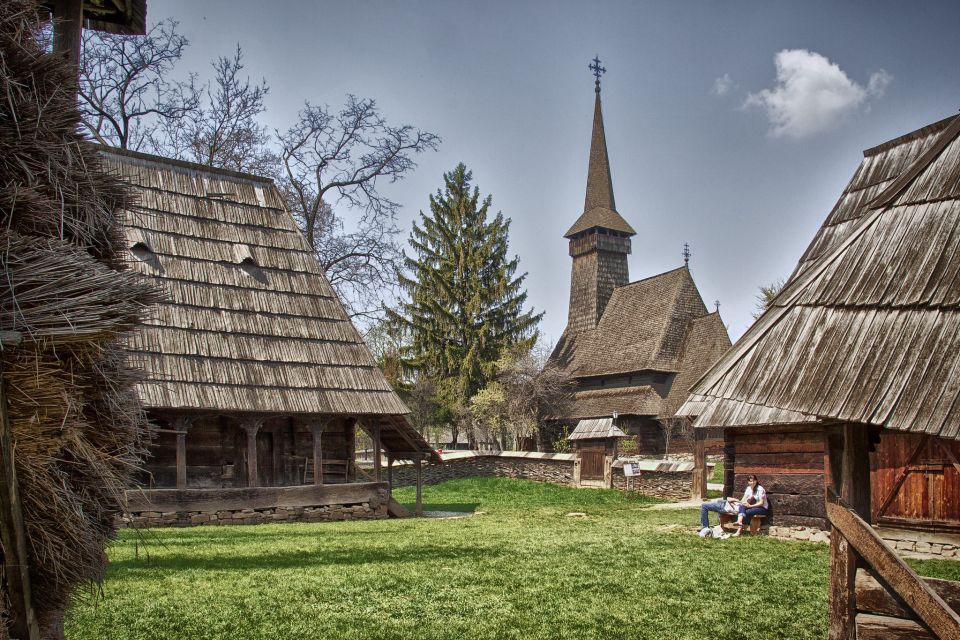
{"x":325,"y":513}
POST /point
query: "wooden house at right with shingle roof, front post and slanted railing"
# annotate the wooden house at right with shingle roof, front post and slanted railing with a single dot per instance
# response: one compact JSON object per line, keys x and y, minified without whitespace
{"x":844,"y":397}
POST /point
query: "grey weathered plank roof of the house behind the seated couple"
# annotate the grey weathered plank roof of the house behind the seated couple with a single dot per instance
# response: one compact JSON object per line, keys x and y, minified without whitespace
{"x":867,"y":329}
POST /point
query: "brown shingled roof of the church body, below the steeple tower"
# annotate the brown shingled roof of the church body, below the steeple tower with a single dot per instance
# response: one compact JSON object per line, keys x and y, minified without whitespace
{"x":656,"y":324}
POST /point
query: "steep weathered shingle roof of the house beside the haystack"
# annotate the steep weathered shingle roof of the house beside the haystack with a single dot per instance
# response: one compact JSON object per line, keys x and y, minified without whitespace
{"x":250,"y":323}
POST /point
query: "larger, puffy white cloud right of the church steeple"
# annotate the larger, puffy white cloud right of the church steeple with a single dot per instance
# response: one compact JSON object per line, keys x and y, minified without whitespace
{"x":812,"y":94}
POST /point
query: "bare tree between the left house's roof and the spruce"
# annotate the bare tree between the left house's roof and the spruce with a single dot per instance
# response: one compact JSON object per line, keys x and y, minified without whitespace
{"x":333,"y":163}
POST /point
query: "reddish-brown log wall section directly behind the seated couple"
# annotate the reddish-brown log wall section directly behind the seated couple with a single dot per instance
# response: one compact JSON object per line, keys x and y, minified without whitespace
{"x":789,"y":463}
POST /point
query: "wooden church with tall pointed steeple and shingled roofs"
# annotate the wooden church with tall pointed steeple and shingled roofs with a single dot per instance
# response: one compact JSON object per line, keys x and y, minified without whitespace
{"x":634,"y":349}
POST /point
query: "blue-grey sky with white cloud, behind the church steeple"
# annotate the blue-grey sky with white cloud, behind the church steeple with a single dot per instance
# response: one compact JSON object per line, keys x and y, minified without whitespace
{"x":732,"y":126}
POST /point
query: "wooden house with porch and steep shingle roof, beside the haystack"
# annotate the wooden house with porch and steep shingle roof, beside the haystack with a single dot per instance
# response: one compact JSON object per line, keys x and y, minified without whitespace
{"x":254,"y":373}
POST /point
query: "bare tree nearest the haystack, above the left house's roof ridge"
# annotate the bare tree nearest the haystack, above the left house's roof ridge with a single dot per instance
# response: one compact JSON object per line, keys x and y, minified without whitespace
{"x":126,"y":95}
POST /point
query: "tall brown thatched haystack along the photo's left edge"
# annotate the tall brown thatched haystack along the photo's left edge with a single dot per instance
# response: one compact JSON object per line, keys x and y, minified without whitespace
{"x":77,"y":426}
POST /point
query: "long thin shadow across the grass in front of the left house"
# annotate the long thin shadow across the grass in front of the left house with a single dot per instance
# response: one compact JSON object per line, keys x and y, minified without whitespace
{"x":301,"y":559}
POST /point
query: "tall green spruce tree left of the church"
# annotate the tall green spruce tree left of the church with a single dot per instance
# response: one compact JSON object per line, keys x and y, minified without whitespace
{"x":465,"y":303}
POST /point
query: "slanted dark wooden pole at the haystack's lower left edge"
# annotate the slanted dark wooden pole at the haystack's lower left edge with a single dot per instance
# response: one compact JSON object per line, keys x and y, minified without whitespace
{"x":13,"y":535}
